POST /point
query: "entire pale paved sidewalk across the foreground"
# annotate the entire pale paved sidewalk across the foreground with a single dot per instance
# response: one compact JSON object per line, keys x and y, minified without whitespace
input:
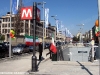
{"x":22,"y":66}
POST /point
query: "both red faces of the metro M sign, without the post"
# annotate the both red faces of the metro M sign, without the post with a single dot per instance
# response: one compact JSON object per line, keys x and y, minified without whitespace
{"x":27,"y":13}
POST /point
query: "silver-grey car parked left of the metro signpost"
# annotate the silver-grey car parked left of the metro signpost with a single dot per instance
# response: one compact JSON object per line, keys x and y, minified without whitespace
{"x":21,"y":48}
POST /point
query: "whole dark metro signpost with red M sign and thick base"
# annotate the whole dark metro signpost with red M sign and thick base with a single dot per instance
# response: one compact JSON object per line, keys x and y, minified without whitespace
{"x":32,"y":13}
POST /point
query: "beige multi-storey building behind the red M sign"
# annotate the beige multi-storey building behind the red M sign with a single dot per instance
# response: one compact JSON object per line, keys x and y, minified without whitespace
{"x":26,"y":26}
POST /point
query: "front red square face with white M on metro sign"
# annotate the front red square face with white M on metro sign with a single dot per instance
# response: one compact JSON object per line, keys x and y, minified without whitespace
{"x":26,"y":13}
